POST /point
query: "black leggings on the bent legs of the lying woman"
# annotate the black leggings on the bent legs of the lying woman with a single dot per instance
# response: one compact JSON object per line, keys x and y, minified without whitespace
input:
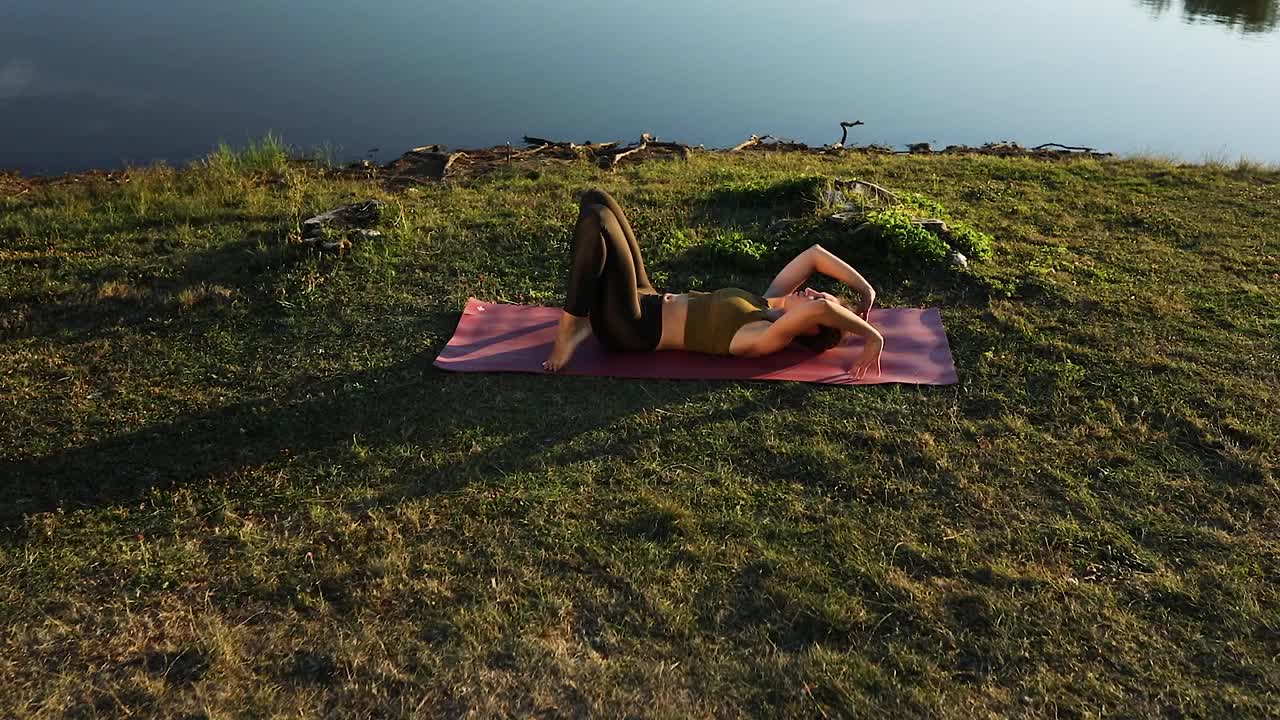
{"x":607,"y":281}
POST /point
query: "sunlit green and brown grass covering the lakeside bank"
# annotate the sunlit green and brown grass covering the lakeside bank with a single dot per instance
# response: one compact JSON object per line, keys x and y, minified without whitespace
{"x":234,"y":485}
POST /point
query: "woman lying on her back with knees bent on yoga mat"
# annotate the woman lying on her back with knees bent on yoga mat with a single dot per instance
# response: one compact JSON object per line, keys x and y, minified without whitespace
{"x":610,"y":294}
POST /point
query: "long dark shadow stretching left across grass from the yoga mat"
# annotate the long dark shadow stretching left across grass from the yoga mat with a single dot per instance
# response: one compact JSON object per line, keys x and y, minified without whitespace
{"x":412,"y":403}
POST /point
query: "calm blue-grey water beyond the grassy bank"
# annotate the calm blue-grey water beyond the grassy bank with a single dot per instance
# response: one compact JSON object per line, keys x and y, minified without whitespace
{"x":86,"y":84}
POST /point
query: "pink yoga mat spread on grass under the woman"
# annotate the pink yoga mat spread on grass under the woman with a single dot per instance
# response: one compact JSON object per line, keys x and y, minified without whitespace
{"x":493,"y":338}
